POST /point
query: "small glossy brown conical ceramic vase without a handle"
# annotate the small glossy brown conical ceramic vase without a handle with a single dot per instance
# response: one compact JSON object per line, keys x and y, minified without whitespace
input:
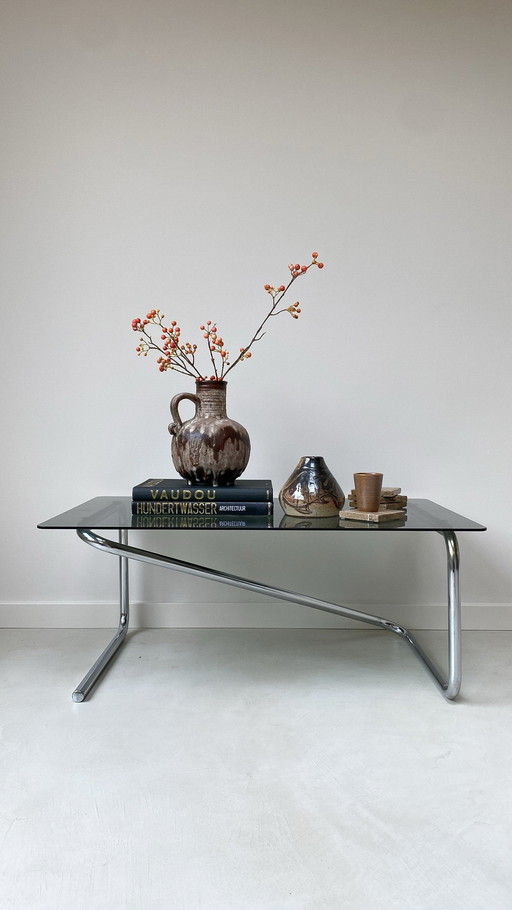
{"x":312,"y":491}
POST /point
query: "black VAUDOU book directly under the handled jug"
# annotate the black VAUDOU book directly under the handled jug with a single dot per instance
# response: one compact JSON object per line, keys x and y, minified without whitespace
{"x":179,"y":490}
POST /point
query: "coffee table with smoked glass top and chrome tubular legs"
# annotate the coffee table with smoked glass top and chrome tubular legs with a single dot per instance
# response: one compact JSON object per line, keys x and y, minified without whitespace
{"x":105,"y":513}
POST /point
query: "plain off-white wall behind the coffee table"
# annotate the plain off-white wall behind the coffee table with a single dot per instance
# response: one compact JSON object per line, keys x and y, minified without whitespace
{"x":179,"y":155}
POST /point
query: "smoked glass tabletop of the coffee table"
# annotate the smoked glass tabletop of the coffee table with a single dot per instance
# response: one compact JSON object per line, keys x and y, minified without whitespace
{"x":115,"y":513}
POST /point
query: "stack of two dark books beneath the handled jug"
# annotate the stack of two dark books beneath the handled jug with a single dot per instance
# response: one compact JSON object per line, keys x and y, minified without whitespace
{"x":174,"y":500}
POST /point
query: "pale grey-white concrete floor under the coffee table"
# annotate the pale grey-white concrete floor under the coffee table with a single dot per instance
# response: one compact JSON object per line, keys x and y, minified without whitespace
{"x":254,"y":770}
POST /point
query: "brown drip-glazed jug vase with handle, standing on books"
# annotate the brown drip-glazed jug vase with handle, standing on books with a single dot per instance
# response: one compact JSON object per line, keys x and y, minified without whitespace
{"x":210,"y":448}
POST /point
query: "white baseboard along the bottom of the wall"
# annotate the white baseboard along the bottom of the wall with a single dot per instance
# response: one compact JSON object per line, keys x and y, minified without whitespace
{"x":271,"y":615}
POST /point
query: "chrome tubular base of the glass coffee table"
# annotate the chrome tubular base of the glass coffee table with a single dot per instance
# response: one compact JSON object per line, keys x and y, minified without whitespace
{"x":449,"y":685}
